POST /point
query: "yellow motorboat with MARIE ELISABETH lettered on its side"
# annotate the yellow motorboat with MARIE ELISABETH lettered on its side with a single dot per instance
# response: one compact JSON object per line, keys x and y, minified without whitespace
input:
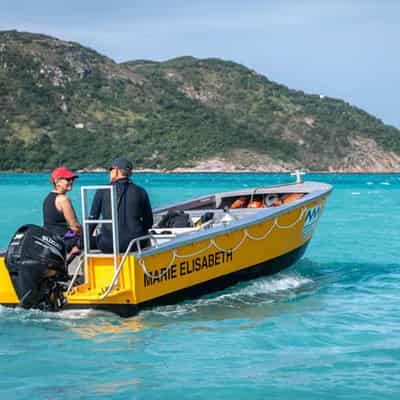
{"x":226,"y":238}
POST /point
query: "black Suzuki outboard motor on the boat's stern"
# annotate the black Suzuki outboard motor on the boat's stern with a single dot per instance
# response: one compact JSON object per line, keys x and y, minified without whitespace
{"x":36,"y":262}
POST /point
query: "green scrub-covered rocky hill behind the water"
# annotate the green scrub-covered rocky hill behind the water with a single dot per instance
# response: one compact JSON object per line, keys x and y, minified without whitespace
{"x":62,"y":103}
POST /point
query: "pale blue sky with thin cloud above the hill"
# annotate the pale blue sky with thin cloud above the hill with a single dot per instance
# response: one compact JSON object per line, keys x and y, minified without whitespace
{"x":347,"y":49}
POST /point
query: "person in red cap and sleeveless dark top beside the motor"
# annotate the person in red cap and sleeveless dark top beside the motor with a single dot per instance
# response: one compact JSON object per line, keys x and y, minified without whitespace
{"x":59,"y":216}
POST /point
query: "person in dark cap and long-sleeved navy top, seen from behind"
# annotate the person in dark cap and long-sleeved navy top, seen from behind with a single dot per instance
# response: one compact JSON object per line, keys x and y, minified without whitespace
{"x":135,"y":216}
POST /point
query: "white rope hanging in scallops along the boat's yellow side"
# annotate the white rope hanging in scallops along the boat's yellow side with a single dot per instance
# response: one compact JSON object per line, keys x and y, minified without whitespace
{"x":212,"y":242}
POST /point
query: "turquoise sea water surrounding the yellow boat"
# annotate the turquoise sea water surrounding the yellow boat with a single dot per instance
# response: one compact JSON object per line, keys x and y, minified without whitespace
{"x":327,"y":328}
